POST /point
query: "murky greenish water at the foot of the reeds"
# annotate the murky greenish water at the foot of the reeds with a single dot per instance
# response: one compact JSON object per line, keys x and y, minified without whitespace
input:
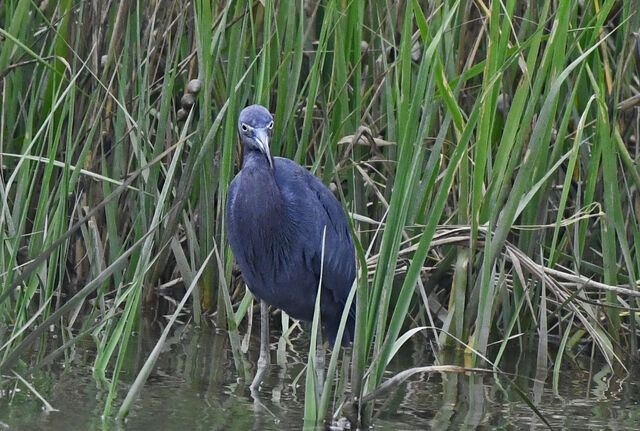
{"x":194,"y":387}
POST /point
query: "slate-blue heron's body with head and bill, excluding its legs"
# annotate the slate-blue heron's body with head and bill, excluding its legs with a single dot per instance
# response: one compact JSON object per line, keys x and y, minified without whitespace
{"x":276,"y":214}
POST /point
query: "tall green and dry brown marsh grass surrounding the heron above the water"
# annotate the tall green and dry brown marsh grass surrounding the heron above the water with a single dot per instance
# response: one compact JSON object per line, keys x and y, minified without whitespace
{"x":487,"y":153}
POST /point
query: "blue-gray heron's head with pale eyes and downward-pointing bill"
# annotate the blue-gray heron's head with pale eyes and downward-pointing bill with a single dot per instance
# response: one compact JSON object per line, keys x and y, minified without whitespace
{"x":255,"y":126}
